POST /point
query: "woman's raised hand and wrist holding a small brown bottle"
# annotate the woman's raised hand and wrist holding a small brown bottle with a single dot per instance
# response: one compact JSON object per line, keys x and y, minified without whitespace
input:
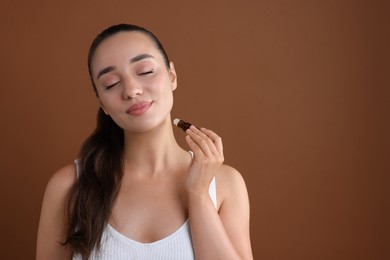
{"x":208,"y":157}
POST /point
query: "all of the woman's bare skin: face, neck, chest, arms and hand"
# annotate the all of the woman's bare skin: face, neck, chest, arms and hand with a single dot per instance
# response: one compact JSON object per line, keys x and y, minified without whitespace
{"x":158,"y":174}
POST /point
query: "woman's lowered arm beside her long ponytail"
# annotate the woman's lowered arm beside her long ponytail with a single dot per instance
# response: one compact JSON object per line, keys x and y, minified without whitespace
{"x":52,"y":223}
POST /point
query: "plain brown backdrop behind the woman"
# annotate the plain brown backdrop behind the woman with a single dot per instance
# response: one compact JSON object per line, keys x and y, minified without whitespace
{"x":297,"y":89}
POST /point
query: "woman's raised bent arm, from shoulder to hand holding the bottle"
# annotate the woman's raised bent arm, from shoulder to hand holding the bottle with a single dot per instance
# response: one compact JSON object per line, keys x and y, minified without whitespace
{"x":223,"y":234}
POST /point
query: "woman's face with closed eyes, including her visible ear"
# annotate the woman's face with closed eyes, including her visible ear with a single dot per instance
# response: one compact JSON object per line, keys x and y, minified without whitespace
{"x":134,"y":85}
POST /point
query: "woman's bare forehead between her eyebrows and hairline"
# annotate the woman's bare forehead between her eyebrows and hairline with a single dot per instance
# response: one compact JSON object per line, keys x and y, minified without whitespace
{"x":123,"y":46}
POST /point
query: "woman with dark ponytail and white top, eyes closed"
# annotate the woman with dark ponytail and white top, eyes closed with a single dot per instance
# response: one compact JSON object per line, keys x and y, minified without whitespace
{"x":135,"y":193}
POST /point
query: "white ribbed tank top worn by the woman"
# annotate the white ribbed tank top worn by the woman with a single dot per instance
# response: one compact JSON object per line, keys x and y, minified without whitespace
{"x":176,"y":246}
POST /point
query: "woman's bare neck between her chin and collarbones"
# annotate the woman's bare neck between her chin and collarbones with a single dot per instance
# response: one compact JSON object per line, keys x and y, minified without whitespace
{"x":152,"y":152}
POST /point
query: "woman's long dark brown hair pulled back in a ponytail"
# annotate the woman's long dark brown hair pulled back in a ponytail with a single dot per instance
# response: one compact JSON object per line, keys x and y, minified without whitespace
{"x":101,"y":167}
